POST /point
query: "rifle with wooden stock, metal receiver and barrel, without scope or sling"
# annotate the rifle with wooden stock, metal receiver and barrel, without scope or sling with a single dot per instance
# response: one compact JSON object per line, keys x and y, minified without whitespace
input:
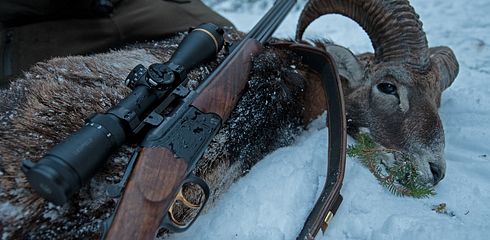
{"x":170,"y":151}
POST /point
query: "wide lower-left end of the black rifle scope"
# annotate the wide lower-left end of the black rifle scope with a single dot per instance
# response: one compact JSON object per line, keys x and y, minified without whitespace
{"x":70,"y":164}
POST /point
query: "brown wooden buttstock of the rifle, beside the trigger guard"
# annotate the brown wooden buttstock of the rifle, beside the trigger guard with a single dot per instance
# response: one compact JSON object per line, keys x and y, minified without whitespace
{"x":150,"y":191}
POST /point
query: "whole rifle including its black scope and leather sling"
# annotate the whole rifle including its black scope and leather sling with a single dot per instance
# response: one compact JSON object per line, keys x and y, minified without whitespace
{"x":205,"y":108}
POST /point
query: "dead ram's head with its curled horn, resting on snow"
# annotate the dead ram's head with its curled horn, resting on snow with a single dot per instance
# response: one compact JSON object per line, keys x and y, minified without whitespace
{"x":395,"y":92}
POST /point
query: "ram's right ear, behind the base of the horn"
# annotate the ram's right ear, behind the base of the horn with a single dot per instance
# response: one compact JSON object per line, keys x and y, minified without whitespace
{"x":445,"y":64}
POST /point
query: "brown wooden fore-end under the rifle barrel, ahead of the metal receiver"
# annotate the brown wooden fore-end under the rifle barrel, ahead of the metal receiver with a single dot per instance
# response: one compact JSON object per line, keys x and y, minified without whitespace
{"x":221,"y":95}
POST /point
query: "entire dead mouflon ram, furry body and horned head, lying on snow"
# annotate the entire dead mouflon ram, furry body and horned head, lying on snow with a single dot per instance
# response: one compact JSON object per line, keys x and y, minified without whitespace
{"x":394,"y":93}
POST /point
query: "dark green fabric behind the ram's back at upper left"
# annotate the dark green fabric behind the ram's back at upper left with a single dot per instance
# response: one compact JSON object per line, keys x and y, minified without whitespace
{"x":131,"y":20}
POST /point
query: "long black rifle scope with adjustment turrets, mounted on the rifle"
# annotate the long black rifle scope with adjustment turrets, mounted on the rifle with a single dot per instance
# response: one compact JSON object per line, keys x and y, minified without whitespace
{"x":71,"y":163}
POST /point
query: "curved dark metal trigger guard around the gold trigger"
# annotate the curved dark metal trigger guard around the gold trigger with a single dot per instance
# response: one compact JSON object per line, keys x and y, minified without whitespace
{"x":168,"y":224}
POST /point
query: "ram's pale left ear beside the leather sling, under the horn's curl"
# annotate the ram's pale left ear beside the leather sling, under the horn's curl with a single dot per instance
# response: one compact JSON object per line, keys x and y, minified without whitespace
{"x":348,"y":65}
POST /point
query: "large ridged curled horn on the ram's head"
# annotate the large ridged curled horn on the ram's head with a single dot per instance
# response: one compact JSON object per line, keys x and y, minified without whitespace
{"x":392,"y":25}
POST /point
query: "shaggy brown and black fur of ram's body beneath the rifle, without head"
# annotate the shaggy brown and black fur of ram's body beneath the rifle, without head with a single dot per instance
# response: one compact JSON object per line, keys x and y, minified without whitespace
{"x":52,"y":100}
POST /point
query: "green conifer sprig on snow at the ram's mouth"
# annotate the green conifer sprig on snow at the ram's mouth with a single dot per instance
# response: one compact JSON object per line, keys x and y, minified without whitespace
{"x":401,"y":179}
